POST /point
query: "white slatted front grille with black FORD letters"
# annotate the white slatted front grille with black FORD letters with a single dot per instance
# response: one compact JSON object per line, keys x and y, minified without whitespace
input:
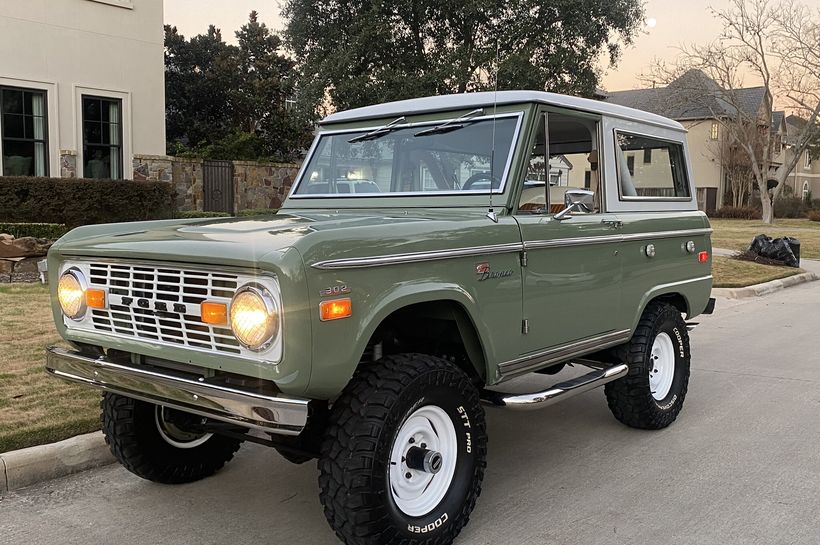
{"x":162,"y":304}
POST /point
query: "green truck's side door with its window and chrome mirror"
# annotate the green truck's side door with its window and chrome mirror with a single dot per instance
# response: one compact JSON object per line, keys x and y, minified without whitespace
{"x":571,"y":280}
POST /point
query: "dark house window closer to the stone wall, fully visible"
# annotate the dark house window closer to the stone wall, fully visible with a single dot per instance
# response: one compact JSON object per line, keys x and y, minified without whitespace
{"x":102,"y":138}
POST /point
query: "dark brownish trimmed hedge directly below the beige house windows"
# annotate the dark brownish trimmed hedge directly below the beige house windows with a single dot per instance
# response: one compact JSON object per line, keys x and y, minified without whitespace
{"x":76,"y":202}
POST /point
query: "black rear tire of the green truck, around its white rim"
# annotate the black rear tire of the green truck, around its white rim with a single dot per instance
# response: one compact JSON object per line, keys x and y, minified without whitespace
{"x":630,"y":398}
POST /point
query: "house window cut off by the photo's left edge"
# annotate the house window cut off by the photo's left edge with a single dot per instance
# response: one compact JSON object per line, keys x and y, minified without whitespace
{"x":24,"y":132}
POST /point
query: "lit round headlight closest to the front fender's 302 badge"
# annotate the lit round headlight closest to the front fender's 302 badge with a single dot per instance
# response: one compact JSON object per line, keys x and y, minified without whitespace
{"x":254,"y":317}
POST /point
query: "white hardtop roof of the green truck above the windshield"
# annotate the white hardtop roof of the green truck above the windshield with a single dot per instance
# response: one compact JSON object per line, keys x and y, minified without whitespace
{"x":487,"y":99}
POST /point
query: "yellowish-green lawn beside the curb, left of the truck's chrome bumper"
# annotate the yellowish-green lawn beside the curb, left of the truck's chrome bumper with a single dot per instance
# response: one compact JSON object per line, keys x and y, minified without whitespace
{"x":35,"y":408}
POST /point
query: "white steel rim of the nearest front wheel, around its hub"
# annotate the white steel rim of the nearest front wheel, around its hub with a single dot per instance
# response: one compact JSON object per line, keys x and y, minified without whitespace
{"x":417,"y":492}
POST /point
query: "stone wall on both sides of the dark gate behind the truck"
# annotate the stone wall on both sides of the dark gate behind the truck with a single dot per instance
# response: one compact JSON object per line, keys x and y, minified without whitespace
{"x":256,"y":185}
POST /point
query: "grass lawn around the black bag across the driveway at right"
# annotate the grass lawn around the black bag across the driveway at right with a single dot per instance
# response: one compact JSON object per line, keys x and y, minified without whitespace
{"x":738,"y":234}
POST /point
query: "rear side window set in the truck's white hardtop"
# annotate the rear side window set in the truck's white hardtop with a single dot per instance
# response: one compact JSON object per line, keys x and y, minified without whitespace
{"x":662,"y":177}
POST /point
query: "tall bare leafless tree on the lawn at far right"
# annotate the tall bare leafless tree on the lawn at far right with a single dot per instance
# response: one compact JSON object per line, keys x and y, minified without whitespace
{"x":775,"y":42}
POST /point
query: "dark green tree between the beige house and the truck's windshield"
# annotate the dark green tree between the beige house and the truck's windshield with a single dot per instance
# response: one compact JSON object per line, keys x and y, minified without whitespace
{"x":231,"y":102}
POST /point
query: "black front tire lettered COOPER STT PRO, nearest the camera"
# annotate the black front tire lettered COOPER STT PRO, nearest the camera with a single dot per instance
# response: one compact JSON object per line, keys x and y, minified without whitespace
{"x":354,"y":467}
